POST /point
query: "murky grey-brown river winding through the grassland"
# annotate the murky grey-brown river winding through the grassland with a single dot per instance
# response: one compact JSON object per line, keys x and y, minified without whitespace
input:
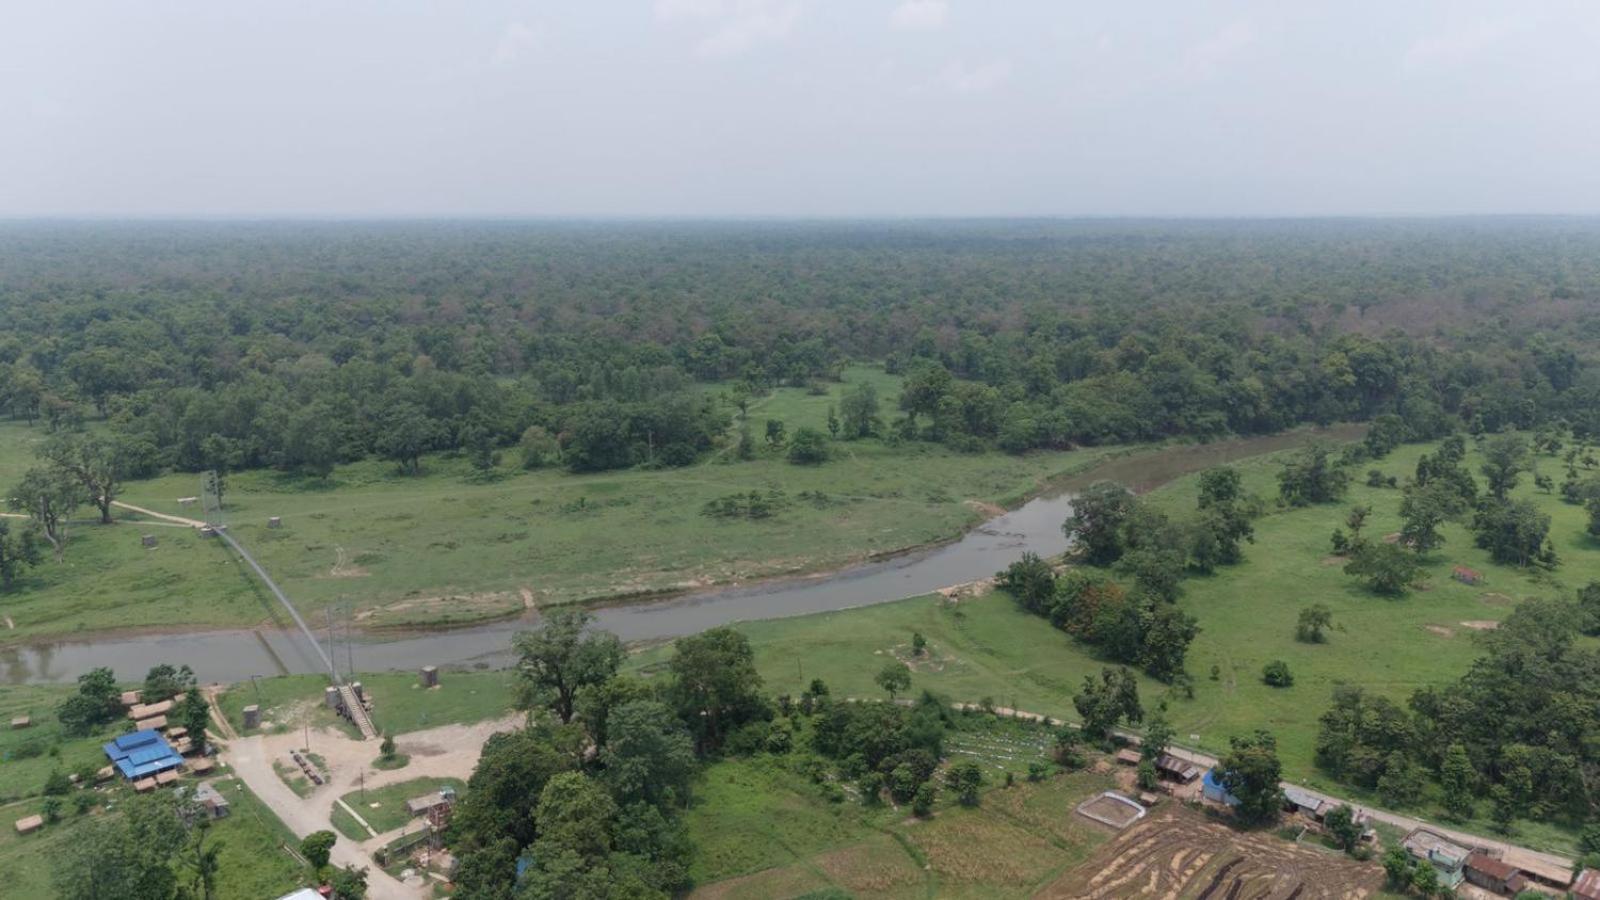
{"x":1036,"y":526}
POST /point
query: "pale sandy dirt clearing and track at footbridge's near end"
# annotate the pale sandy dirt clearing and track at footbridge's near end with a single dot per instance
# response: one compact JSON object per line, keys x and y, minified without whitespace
{"x":446,"y":752}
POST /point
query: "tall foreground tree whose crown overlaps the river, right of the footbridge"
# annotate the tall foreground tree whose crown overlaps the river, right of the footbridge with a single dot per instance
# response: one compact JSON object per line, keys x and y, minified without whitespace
{"x":562,"y":656}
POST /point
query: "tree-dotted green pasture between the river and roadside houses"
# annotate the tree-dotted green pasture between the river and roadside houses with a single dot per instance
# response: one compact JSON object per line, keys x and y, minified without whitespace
{"x":986,"y":648}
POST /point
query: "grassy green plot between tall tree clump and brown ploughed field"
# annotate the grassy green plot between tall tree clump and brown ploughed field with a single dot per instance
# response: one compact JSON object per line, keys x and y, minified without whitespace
{"x":762,"y":830}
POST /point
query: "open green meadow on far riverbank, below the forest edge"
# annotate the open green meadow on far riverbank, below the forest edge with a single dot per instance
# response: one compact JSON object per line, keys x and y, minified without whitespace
{"x":452,"y":548}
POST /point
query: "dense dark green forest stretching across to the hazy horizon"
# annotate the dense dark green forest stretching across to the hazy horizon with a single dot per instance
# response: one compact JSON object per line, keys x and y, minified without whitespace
{"x":242,"y":344}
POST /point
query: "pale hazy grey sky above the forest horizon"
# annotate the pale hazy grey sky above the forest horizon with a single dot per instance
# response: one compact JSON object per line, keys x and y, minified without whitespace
{"x":814,"y":108}
